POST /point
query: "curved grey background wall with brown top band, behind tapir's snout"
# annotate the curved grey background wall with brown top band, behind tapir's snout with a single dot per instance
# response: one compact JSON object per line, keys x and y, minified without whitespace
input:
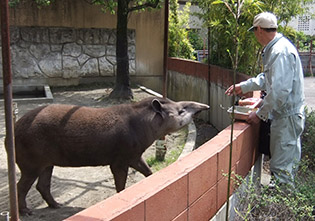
{"x":189,"y":80}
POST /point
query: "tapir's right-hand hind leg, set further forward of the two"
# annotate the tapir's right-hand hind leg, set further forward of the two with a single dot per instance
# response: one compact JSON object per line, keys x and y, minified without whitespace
{"x":43,"y":186}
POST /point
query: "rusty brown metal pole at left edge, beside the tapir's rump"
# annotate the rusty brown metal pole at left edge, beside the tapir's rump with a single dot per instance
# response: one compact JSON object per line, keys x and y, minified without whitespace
{"x":7,"y":91}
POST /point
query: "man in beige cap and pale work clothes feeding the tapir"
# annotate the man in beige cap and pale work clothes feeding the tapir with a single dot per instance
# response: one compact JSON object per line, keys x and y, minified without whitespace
{"x":283,"y":81}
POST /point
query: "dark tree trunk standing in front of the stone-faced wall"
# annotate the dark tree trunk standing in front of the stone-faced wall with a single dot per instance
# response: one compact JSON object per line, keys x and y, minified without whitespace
{"x":122,"y":88}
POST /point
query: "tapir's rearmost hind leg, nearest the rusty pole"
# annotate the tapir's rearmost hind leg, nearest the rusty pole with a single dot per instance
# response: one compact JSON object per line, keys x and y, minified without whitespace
{"x":23,"y":186}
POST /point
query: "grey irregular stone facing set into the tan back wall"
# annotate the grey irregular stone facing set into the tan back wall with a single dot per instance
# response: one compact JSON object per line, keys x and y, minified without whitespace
{"x":49,"y":52}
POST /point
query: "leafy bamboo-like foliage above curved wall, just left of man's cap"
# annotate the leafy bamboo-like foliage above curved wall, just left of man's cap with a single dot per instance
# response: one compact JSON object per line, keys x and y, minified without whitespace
{"x":225,"y":20}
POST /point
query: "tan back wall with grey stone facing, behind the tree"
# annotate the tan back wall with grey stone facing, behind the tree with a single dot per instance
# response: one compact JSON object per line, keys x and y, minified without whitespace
{"x":70,"y":42}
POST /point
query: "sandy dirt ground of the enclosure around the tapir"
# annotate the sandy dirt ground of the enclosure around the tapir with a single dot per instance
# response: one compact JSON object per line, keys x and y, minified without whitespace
{"x":79,"y":188}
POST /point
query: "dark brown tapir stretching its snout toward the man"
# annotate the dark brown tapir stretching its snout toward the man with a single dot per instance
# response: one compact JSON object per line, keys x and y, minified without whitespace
{"x":75,"y":136}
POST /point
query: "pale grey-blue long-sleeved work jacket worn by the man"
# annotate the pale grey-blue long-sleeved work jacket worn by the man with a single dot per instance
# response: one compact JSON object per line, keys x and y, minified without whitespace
{"x":282,"y":79}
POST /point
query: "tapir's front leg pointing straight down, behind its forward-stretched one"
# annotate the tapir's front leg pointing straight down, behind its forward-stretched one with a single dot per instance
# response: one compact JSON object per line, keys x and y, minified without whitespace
{"x":120,"y":175}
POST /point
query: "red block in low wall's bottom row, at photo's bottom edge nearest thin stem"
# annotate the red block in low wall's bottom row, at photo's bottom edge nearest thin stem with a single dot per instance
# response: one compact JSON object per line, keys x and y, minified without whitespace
{"x":205,"y":207}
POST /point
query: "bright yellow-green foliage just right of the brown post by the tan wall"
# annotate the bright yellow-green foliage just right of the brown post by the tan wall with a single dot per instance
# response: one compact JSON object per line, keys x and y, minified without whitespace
{"x":179,"y":45}
